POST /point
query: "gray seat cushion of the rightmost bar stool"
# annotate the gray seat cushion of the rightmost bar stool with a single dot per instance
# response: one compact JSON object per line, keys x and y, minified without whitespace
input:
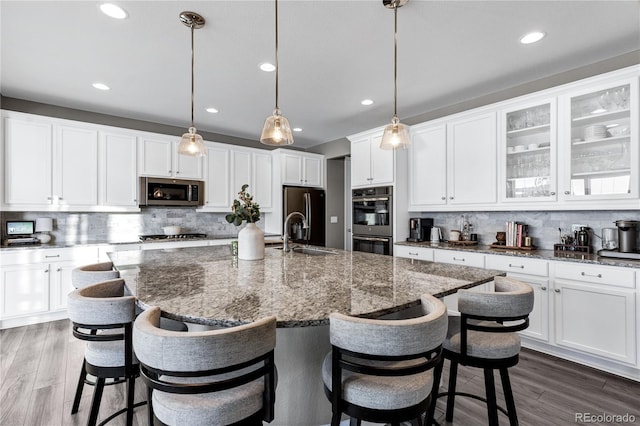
{"x":482,"y":345}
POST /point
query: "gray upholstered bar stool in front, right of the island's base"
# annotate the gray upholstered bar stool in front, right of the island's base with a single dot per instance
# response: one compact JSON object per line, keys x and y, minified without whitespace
{"x":381,"y":370}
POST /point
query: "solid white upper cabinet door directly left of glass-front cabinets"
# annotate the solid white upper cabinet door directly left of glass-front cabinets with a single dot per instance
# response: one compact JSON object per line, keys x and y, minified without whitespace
{"x":471,"y":149}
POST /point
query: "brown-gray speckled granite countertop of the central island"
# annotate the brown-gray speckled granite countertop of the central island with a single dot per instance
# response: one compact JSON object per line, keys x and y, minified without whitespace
{"x":207,"y":285}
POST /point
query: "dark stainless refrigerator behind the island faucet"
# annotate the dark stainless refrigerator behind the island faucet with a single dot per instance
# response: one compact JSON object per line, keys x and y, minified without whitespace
{"x":311,"y":203}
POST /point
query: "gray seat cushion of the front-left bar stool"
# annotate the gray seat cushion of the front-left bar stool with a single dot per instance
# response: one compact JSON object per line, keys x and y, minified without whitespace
{"x":215,"y":408}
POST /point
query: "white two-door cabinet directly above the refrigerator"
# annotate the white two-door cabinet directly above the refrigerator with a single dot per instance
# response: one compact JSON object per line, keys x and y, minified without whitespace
{"x":301,"y":169}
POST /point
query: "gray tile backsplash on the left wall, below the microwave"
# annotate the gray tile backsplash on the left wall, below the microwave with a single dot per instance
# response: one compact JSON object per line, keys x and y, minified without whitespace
{"x":73,"y":228}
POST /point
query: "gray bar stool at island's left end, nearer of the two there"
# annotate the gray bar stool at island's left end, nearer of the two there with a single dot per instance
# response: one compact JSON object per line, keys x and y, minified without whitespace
{"x":103,"y":316}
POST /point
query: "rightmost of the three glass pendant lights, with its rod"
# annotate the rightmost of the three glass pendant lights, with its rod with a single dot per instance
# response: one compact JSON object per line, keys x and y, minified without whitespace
{"x":396,"y":134}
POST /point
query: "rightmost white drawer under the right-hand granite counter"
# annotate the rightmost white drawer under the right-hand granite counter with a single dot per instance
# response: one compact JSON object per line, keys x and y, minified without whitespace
{"x":623,"y":277}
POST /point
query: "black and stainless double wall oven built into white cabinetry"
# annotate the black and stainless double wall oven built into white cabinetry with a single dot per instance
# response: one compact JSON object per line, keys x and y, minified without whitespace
{"x":372,"y":227}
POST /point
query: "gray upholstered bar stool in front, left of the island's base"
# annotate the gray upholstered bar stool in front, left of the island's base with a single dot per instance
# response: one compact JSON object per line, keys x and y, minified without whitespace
{"x":215,"y":377}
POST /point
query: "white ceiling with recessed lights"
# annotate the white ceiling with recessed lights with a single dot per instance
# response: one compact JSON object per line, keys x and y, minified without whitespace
{"x":333,"y":54}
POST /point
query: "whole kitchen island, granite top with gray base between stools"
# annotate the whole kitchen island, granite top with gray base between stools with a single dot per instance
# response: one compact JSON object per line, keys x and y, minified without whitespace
{"x":208,"y":286}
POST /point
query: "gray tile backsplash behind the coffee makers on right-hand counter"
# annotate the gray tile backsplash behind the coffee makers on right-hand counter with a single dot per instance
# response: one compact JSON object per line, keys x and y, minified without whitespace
{"x":543,"y":225}
